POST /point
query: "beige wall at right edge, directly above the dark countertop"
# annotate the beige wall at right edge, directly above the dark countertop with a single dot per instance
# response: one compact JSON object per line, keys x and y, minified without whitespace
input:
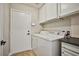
{"x":75,"y":25}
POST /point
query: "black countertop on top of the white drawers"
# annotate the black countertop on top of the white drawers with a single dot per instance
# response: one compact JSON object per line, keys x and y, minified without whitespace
{"x":72,"y":40}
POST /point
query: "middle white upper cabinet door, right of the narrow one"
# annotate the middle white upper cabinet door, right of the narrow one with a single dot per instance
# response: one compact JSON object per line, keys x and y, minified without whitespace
{"x":51,"y":10}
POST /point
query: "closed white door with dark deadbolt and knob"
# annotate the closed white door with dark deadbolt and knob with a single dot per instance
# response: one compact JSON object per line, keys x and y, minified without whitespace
{"x":20,"y":31}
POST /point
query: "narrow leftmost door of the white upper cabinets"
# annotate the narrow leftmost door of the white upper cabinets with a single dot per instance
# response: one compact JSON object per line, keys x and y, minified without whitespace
{"x":42,"y":13}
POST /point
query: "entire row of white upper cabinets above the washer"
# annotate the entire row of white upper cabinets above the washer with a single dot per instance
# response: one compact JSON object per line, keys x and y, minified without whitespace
{"x":52,"y":11}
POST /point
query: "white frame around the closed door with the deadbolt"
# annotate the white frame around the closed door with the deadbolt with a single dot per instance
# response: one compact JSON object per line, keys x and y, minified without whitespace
{"x":11,"y":10}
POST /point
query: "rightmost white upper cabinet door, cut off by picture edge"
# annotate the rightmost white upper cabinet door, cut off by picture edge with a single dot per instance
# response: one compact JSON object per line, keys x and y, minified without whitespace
{"x":68,"y":8}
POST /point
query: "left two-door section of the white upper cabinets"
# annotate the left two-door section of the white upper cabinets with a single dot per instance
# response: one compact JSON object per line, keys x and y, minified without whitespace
{"x":48,"y":12}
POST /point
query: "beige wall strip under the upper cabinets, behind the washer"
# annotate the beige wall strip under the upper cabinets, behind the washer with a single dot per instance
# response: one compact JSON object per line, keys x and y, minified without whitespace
{"x":60,"y":24}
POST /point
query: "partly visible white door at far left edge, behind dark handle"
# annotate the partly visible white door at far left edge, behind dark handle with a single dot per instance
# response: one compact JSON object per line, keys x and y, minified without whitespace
{"x":1,"y":28}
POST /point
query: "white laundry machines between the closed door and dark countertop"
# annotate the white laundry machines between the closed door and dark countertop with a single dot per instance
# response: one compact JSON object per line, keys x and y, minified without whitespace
{"x":46,"y":45}
